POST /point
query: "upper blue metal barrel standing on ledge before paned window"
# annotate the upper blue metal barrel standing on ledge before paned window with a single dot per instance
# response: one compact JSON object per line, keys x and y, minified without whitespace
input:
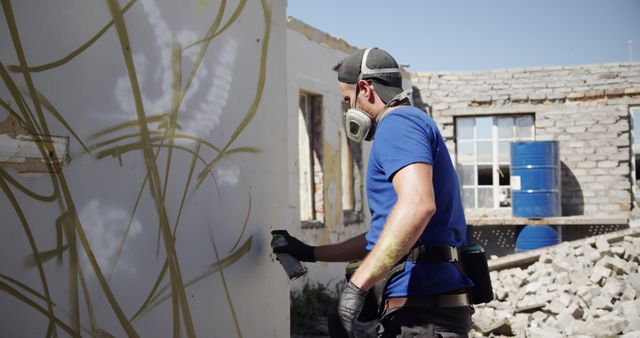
{"x":535,"y":179}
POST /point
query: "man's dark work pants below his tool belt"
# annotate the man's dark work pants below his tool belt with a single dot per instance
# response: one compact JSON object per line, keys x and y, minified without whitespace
{"x":415,"y":322}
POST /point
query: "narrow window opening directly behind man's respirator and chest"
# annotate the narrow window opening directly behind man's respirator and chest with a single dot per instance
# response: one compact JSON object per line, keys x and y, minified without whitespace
{"x":351,"y":162}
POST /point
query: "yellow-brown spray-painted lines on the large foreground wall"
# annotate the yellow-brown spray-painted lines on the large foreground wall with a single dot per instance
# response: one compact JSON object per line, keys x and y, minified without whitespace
{"x":35,"y":112}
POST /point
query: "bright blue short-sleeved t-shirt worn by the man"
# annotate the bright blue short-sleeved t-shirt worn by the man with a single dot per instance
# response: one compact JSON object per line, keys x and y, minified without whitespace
{"x":404,"y":136}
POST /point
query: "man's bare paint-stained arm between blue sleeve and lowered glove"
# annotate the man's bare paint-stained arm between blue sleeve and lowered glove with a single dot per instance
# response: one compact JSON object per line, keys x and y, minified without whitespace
{"x":408,"y":219}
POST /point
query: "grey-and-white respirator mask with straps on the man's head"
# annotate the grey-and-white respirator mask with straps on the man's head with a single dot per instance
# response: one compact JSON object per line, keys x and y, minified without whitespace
{"x":359,"y":125}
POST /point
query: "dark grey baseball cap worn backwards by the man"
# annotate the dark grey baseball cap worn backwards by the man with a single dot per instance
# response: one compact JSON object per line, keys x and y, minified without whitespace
{"x":375,"y":65}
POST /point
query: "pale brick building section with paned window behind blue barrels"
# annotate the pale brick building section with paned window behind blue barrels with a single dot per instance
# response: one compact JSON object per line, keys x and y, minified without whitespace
{"x":589,"y":110}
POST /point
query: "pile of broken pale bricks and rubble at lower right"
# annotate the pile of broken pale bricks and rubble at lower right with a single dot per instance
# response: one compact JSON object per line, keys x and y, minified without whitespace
{"x":588,"y":289}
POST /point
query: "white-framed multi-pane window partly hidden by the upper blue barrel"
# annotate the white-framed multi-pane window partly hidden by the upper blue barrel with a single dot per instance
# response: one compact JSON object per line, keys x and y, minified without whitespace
{"x":483,"y":157}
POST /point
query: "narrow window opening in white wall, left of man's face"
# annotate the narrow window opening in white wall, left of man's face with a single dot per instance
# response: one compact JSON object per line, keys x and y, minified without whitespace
{"x":310,"y":160}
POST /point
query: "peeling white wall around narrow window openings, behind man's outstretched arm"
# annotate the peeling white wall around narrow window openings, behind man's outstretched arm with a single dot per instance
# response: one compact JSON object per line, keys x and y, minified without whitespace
{"x":309,"y":68}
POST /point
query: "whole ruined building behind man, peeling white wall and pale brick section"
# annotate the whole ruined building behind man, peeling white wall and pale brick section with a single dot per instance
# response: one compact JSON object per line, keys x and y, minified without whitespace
{"x":592,"y":112}
